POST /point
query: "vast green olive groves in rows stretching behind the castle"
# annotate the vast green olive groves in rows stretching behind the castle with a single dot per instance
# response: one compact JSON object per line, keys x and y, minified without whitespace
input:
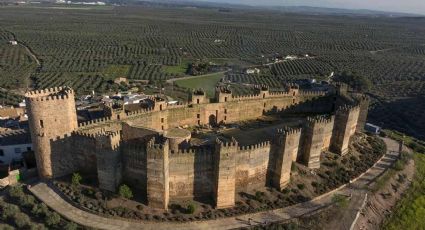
{"x":86,"y":48}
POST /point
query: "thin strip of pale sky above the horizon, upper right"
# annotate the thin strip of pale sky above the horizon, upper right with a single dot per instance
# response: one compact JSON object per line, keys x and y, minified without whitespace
{"x":407,"y":6}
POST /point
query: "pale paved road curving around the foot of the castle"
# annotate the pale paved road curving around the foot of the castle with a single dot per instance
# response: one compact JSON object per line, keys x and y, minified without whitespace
{"x":54,"y":201}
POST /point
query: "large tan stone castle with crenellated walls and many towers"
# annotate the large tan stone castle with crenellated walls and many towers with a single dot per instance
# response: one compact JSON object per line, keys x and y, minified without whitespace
{"x":144,"y":148}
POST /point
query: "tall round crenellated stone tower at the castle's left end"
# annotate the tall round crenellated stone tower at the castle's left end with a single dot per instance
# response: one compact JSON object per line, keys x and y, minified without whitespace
{"x":51,"y":114}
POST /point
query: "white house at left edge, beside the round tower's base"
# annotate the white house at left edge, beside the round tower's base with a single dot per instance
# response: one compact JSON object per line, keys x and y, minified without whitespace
{"x":13,"y":144}
